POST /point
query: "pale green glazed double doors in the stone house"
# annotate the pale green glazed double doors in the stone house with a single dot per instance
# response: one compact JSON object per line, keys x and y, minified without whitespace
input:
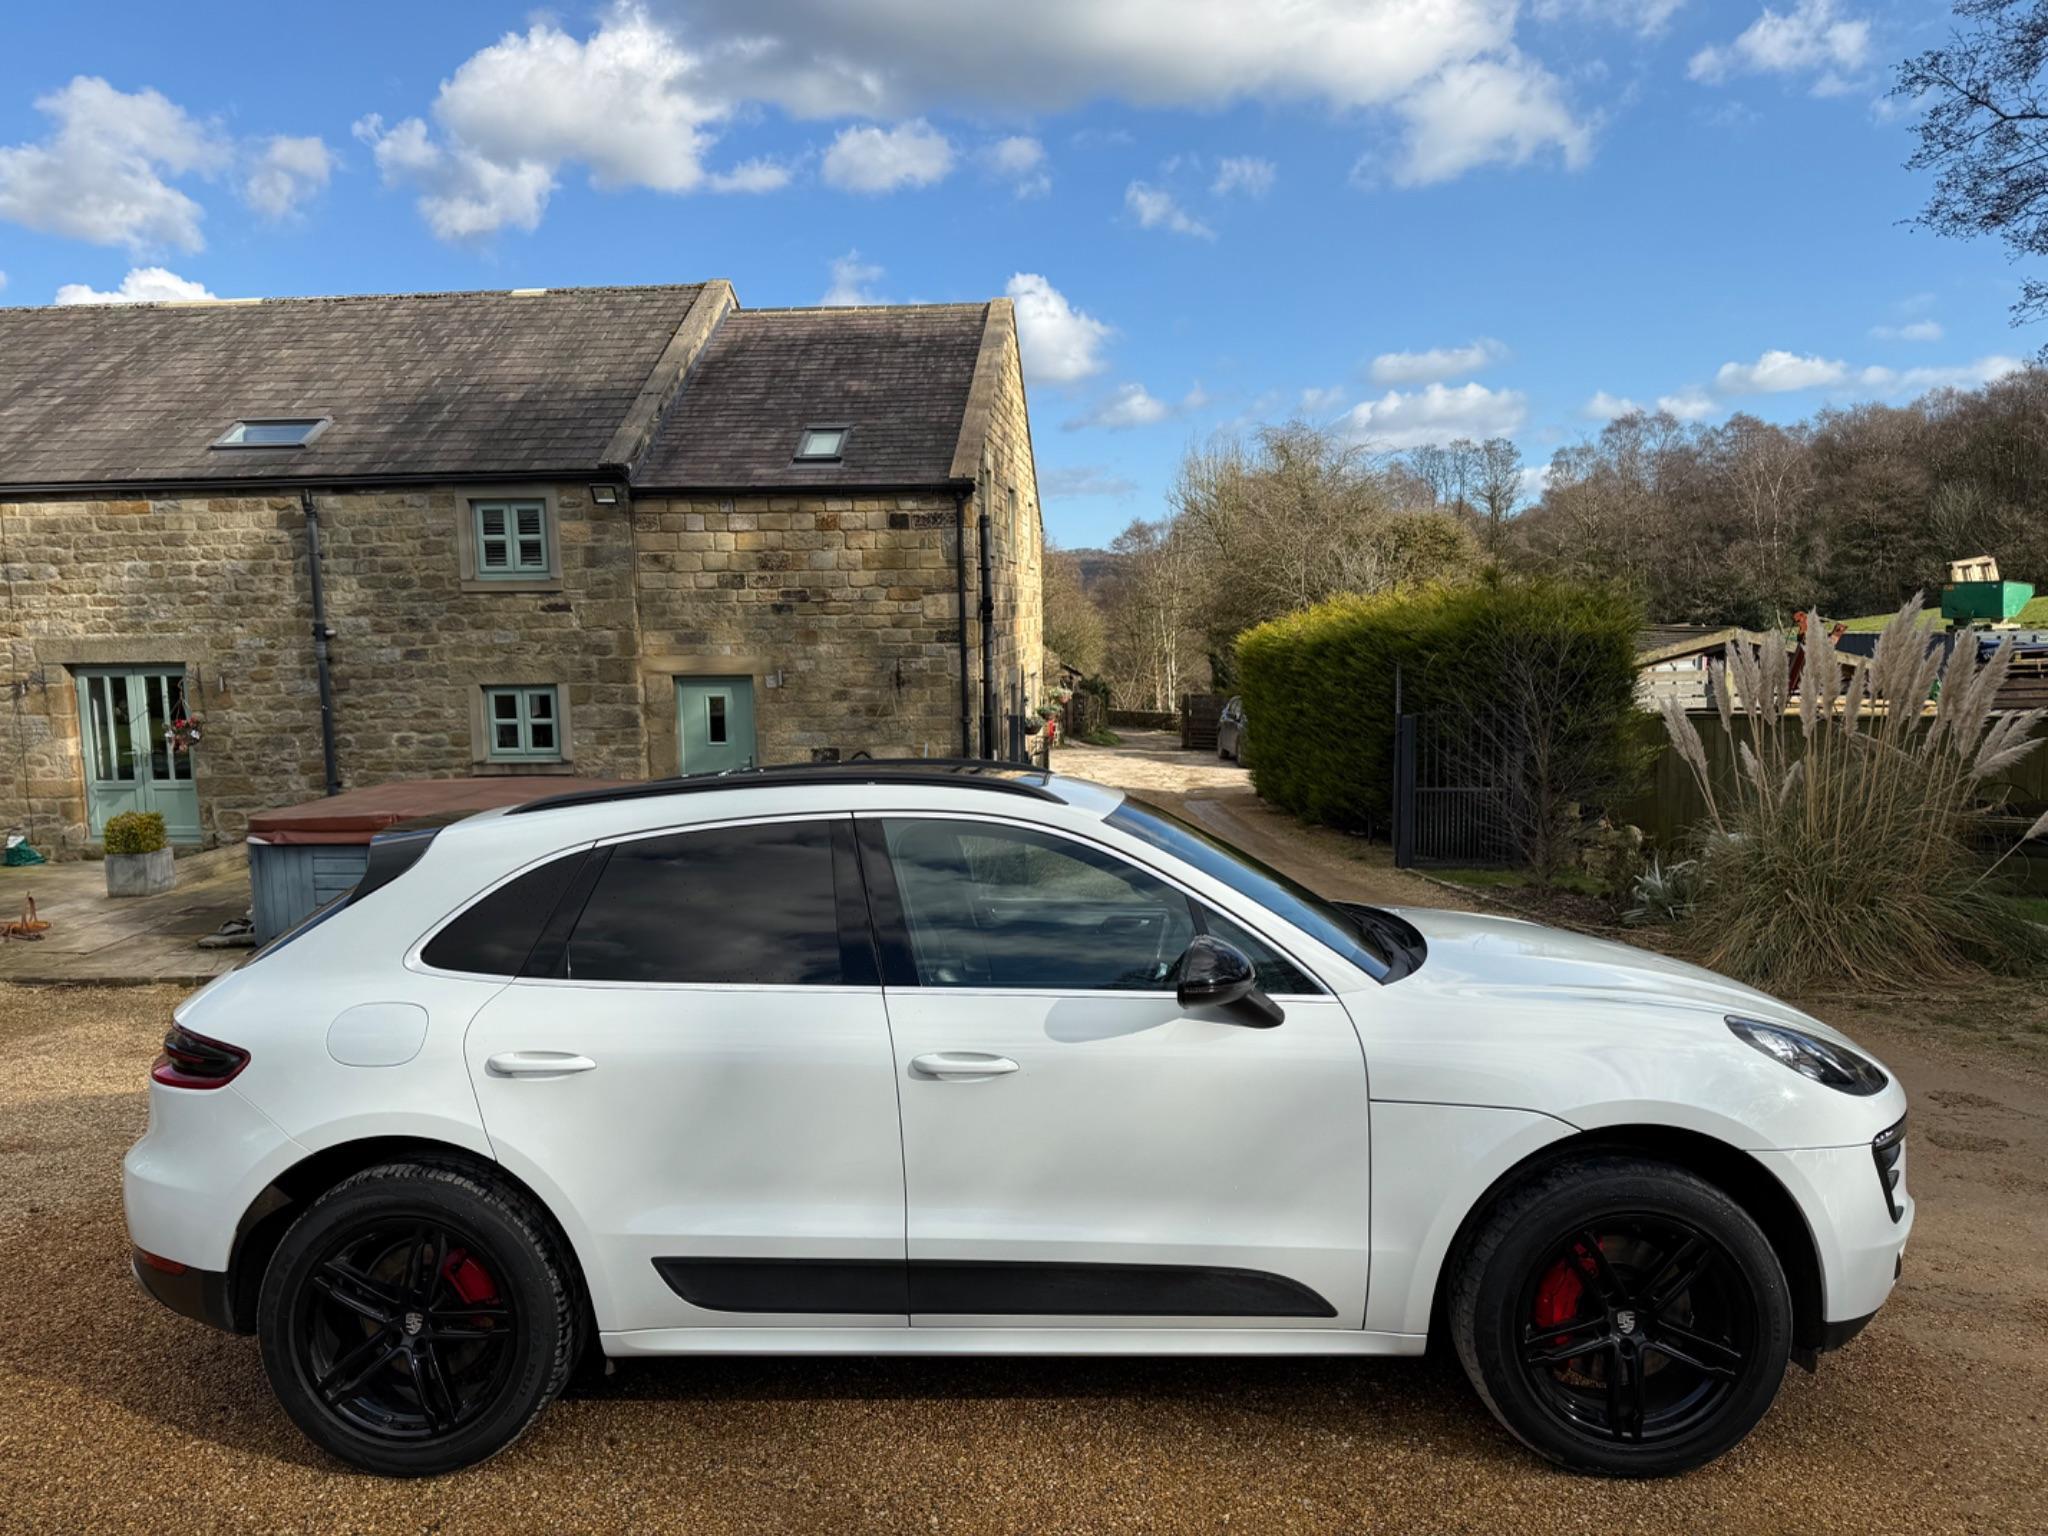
{"x":136,"y":761}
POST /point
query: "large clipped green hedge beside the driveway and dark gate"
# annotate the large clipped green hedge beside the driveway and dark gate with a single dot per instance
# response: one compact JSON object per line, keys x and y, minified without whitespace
{"x":1320,"y":687}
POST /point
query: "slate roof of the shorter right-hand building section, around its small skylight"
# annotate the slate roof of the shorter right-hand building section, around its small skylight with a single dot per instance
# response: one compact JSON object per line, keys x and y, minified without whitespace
{"x":896,"y":376}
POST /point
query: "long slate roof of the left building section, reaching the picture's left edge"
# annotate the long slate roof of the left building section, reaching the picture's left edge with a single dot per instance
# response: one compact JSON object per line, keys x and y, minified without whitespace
{"x":417,"y":386}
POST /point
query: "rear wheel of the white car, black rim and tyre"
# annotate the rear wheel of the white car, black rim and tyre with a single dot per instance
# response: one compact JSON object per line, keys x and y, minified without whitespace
{"x":445,"y":1293}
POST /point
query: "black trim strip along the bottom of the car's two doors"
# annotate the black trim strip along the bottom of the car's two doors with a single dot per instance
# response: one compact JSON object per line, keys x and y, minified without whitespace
{"x":966,"y":1287}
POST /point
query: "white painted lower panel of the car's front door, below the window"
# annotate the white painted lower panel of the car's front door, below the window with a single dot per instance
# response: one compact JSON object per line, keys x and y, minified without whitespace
{"x":1136,"y":1134}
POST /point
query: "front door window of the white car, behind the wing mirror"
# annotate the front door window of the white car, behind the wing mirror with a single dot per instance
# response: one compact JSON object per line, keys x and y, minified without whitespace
{"x":992,"y":906}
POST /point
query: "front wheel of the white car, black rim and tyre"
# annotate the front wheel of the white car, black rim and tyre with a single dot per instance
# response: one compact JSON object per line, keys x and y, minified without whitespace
{"x":1580,"y":1285}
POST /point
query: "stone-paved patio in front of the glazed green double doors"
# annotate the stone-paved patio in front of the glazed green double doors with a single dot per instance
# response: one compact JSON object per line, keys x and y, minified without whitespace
{"x":124,"y":941}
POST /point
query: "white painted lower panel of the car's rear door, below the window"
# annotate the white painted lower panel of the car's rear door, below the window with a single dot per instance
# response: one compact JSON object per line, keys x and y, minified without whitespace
{"x":716,"y":1123}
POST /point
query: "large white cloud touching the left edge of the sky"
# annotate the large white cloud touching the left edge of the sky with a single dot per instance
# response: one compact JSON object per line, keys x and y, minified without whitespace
{"x":101,"y":175}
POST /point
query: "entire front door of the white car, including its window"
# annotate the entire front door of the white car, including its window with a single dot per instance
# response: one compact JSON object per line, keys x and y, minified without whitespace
{"x":1138,"y":1160}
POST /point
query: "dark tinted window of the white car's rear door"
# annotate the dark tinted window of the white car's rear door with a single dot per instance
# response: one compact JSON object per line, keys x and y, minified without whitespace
{"x":728,"y":904}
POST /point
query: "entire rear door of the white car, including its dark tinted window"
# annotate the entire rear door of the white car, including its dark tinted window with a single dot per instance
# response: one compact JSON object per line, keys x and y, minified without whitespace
{"x":701,"y":1072}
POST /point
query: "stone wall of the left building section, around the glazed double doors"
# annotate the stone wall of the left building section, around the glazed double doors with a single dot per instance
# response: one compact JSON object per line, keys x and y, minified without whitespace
{"x":220,"y":587}
